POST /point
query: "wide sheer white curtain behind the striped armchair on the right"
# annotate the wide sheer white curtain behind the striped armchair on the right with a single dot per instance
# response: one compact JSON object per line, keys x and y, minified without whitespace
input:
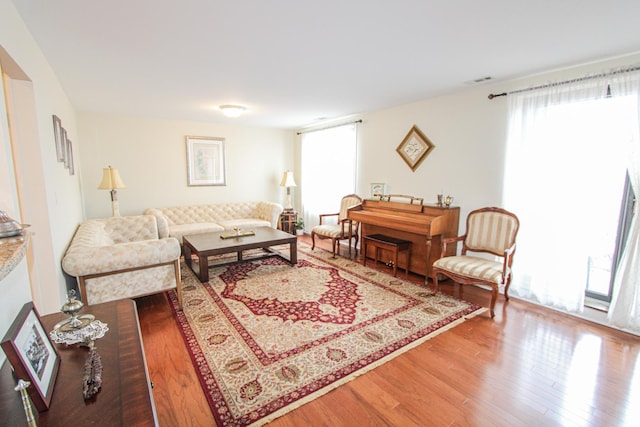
{"x":565,"y":167}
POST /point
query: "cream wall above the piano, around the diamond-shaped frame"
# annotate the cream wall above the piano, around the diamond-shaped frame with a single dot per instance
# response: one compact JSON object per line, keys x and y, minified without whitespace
{"x":469,"y":134}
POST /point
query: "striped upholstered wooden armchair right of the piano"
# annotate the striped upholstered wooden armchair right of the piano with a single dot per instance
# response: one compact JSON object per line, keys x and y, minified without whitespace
{"x":491,"y":231}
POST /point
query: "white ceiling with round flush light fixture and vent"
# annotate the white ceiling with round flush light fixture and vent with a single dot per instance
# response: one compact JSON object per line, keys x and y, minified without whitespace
{"x":295,"y":62}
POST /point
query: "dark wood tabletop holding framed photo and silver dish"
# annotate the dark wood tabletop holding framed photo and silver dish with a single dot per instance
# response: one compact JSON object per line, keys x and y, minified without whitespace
{"x":125,"y":398}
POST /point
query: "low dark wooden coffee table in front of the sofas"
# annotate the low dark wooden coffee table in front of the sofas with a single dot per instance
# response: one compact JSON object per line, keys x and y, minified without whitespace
{"x":207,"y":244}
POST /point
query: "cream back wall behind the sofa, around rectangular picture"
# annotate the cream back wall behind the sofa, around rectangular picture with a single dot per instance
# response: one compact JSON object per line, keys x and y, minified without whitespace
{"x":151,"y":157}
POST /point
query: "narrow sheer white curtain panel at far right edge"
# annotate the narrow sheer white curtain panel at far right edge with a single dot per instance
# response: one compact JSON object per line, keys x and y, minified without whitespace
{"x":624,"y":311}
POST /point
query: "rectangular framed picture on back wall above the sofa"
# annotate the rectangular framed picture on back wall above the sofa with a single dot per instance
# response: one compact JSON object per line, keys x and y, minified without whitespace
{"x":205,"y":161}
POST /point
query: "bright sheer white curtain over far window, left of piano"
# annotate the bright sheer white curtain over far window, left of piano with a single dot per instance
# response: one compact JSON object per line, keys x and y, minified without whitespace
{"x":328,"y":170}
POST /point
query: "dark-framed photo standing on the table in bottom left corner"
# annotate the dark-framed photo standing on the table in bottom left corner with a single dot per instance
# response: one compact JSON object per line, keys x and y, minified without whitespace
{"x":32,"y":355}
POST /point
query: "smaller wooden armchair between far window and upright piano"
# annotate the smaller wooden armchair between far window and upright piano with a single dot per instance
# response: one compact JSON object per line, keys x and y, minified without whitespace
{"x":343,"y":229}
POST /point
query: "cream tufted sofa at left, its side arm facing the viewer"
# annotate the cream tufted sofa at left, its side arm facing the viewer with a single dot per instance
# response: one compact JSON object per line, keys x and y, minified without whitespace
{"x":122,"y":257}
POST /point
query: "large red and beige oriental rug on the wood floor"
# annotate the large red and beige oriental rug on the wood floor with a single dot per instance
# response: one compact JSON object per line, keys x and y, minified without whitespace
{"x":266,"y":337}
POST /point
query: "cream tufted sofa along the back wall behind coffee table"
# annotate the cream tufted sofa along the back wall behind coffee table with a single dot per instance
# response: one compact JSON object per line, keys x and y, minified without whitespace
{"x":180,"y":221}
